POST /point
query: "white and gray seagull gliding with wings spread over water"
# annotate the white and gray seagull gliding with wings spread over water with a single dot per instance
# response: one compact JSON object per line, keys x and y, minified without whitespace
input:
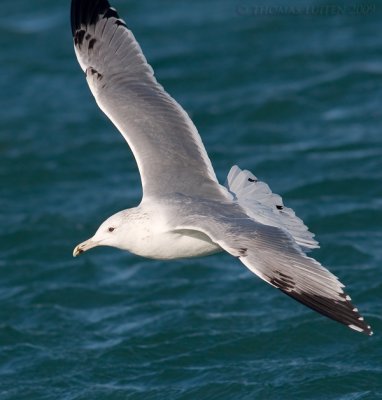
{"x":184,"y":211}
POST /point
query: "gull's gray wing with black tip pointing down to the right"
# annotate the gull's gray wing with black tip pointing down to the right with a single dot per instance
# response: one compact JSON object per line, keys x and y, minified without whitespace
{"x":274,"y":256}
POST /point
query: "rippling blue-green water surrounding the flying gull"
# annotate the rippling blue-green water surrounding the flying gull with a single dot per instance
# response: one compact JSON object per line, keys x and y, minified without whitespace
{"x":295,"y":98}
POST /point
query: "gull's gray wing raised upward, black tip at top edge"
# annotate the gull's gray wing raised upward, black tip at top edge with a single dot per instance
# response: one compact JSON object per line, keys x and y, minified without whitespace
{"x":166,"y":145}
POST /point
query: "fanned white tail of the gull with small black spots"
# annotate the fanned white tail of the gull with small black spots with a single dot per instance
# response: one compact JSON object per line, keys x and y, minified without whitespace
{"x":266,"y":207}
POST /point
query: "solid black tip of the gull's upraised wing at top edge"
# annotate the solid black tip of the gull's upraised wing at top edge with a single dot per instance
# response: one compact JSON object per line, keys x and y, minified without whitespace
{"x":86,"y":12}
